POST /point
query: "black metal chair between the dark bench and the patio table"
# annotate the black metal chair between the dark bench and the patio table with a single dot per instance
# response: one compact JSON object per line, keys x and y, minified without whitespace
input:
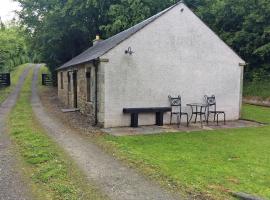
{"x":176,"y":106}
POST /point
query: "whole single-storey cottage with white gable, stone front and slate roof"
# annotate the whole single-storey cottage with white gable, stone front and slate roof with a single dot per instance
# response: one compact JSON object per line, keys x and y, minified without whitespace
{"x":171,"y":53}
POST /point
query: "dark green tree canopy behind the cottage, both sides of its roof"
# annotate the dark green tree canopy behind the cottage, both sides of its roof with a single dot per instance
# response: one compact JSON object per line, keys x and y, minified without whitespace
{"x":61,"y":29}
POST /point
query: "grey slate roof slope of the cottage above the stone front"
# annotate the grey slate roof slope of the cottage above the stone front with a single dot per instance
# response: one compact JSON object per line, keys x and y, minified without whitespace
{"x":103,"y":47}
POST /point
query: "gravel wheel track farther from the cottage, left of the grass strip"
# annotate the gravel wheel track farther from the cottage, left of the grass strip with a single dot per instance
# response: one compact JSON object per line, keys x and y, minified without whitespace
{"x":11,"y":184}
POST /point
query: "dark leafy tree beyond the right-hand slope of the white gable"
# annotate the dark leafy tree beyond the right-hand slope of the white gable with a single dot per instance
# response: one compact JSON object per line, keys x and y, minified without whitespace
{"x":245,"y":26}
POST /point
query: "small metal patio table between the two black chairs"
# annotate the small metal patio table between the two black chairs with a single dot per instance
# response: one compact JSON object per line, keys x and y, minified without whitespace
{"x":198,"y":109}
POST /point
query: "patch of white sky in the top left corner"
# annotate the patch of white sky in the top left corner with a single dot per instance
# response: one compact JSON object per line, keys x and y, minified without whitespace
{"x":7,"y":8}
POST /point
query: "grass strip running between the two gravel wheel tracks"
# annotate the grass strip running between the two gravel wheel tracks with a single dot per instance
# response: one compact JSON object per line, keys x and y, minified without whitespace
{"x":52,"y":173}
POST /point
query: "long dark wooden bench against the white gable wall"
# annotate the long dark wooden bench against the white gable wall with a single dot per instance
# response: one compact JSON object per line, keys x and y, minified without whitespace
{"x":135,"y":114}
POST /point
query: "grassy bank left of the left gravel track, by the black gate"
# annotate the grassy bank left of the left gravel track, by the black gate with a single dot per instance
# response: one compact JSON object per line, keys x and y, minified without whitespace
{"x":15,"y":75}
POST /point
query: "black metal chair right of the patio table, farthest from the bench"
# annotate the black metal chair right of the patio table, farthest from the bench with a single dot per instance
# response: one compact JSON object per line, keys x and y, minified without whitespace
{"x":211,"y":102}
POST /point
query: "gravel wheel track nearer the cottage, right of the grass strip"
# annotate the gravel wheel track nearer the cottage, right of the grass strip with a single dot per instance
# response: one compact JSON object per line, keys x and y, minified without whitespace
{"x":117,"y":181}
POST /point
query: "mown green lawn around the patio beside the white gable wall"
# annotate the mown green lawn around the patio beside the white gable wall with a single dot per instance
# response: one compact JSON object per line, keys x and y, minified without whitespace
{"x":210,"y":163}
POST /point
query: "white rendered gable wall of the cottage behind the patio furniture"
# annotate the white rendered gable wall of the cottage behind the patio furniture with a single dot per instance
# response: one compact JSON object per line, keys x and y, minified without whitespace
{"x":176,"y":54}
